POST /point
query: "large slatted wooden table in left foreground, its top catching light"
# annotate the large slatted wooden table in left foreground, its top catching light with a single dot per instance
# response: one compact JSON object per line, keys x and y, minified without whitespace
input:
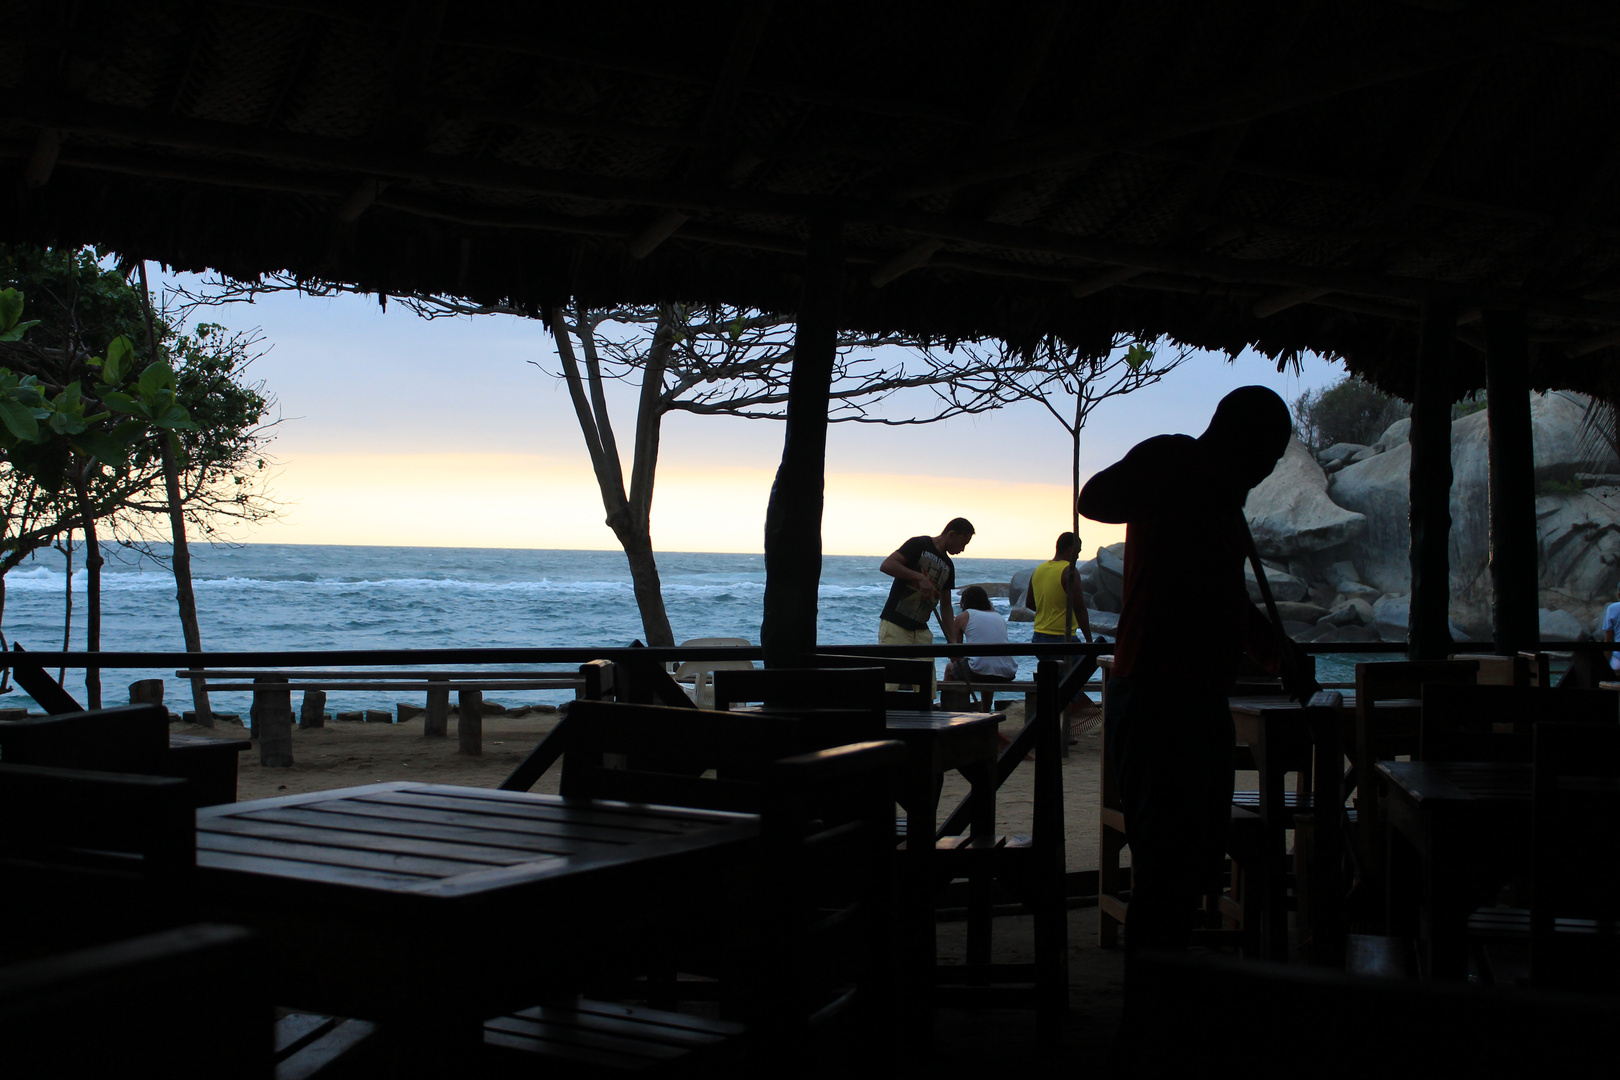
{"x":416,"y":901}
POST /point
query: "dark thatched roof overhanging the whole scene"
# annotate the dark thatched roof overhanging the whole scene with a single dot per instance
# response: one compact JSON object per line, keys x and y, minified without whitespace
{"x":1300,"y":177}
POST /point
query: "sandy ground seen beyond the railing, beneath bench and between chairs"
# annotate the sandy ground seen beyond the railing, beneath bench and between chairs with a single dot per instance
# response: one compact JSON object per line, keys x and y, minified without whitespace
{"x":349,"y":754}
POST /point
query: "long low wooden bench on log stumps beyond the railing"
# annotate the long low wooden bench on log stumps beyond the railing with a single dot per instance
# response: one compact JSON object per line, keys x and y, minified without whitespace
{"x":271,"y":720}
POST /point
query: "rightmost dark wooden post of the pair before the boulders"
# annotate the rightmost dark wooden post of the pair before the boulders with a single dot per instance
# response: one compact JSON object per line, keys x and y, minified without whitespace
{"x":1514,"y":558}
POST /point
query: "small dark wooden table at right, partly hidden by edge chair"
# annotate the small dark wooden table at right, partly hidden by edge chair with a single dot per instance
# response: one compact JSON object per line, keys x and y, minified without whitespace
{"x":1451,"y":825}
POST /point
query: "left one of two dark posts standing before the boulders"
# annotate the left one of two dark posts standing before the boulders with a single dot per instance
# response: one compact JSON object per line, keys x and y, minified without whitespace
{"x":1428,"y":632}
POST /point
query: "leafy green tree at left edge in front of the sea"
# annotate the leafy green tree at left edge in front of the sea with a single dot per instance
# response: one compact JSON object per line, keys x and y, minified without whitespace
{"x":113,"y":438}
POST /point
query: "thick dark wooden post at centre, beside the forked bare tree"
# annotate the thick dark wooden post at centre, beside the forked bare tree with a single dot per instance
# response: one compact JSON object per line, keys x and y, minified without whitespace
{"x":793,"y":521}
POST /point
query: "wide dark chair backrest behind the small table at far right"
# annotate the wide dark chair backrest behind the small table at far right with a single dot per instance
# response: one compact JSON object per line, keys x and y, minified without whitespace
{"x":1496,"y":723}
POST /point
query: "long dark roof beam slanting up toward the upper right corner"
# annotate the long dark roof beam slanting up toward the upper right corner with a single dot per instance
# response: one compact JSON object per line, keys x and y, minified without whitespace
{"x":1315,"y":80}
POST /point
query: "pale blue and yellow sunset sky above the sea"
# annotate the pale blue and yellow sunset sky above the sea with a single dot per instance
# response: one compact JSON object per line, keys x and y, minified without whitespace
{"x":451,"y":433}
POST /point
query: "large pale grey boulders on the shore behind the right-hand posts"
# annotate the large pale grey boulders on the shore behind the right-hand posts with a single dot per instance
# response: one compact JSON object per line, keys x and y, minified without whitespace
{"x":1334,"y":534}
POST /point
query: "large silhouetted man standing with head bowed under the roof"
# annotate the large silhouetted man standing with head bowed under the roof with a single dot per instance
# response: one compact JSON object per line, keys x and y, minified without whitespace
{"x":1187,"y":621}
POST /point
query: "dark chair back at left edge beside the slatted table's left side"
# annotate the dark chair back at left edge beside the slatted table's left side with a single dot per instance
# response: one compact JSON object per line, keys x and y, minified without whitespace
{"x":92,"y":857}
